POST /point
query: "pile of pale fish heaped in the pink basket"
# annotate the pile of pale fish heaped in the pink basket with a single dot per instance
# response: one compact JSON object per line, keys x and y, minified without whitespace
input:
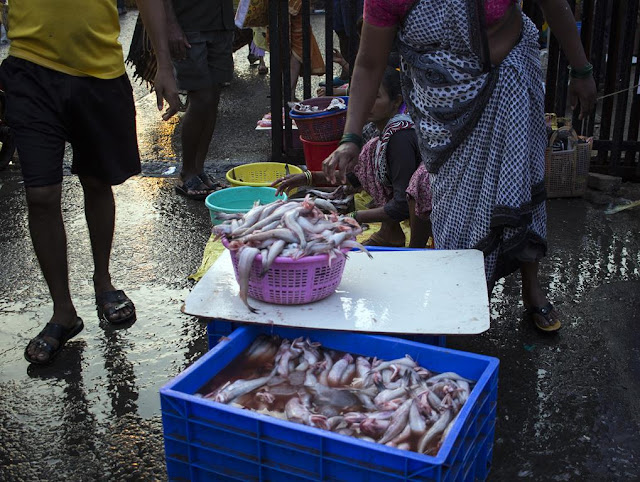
{"x":292,"y":228}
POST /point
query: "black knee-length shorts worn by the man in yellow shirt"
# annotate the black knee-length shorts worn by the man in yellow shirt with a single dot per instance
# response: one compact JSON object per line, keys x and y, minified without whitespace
{"x":46,"y":108}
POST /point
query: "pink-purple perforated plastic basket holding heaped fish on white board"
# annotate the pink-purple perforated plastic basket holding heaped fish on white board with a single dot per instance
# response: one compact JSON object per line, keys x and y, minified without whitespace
{"x":293,"y":282}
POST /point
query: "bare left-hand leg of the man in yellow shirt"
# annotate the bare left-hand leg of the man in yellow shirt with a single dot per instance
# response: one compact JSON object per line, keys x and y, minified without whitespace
{"x":50,"y":244}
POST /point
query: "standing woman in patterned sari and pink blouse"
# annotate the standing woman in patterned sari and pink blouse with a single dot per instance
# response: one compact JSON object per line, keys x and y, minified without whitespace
{"x":473,"y":84}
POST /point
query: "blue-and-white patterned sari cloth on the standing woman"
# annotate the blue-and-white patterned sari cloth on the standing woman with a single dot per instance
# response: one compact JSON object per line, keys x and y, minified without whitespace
{"x":488,"y":192}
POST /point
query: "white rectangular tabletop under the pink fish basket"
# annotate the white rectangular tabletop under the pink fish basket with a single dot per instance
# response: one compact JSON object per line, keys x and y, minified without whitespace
{"x":427,"y":292}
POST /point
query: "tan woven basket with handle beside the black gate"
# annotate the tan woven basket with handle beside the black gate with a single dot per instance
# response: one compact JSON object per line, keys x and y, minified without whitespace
{"x":567,"y":171}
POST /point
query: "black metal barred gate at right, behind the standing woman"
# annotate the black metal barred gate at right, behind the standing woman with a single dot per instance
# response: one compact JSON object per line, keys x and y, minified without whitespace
{"x":608,"y":32}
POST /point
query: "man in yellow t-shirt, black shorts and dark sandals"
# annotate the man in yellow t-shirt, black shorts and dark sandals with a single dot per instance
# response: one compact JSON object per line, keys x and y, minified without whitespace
{"x":65,"y":82}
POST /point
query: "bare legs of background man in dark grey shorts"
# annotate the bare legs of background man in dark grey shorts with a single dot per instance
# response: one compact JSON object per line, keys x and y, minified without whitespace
{"x":198,"y":125}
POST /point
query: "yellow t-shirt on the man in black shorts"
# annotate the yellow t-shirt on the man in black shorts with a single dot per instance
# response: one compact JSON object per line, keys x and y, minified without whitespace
{"x":71,"y":36}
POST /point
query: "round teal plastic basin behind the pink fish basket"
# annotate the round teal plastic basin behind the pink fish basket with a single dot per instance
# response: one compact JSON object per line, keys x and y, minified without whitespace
{"x":239,"y":200}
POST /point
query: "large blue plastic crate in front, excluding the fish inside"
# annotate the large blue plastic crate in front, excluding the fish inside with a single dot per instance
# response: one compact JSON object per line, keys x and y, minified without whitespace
{"x":205,"y":440}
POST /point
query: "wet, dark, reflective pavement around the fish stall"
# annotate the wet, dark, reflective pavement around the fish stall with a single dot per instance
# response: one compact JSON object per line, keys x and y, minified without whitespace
{"x":568,"y":405}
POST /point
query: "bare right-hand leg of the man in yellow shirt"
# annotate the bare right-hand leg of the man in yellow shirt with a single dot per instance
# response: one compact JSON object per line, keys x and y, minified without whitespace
{"x":100,"y":212}
